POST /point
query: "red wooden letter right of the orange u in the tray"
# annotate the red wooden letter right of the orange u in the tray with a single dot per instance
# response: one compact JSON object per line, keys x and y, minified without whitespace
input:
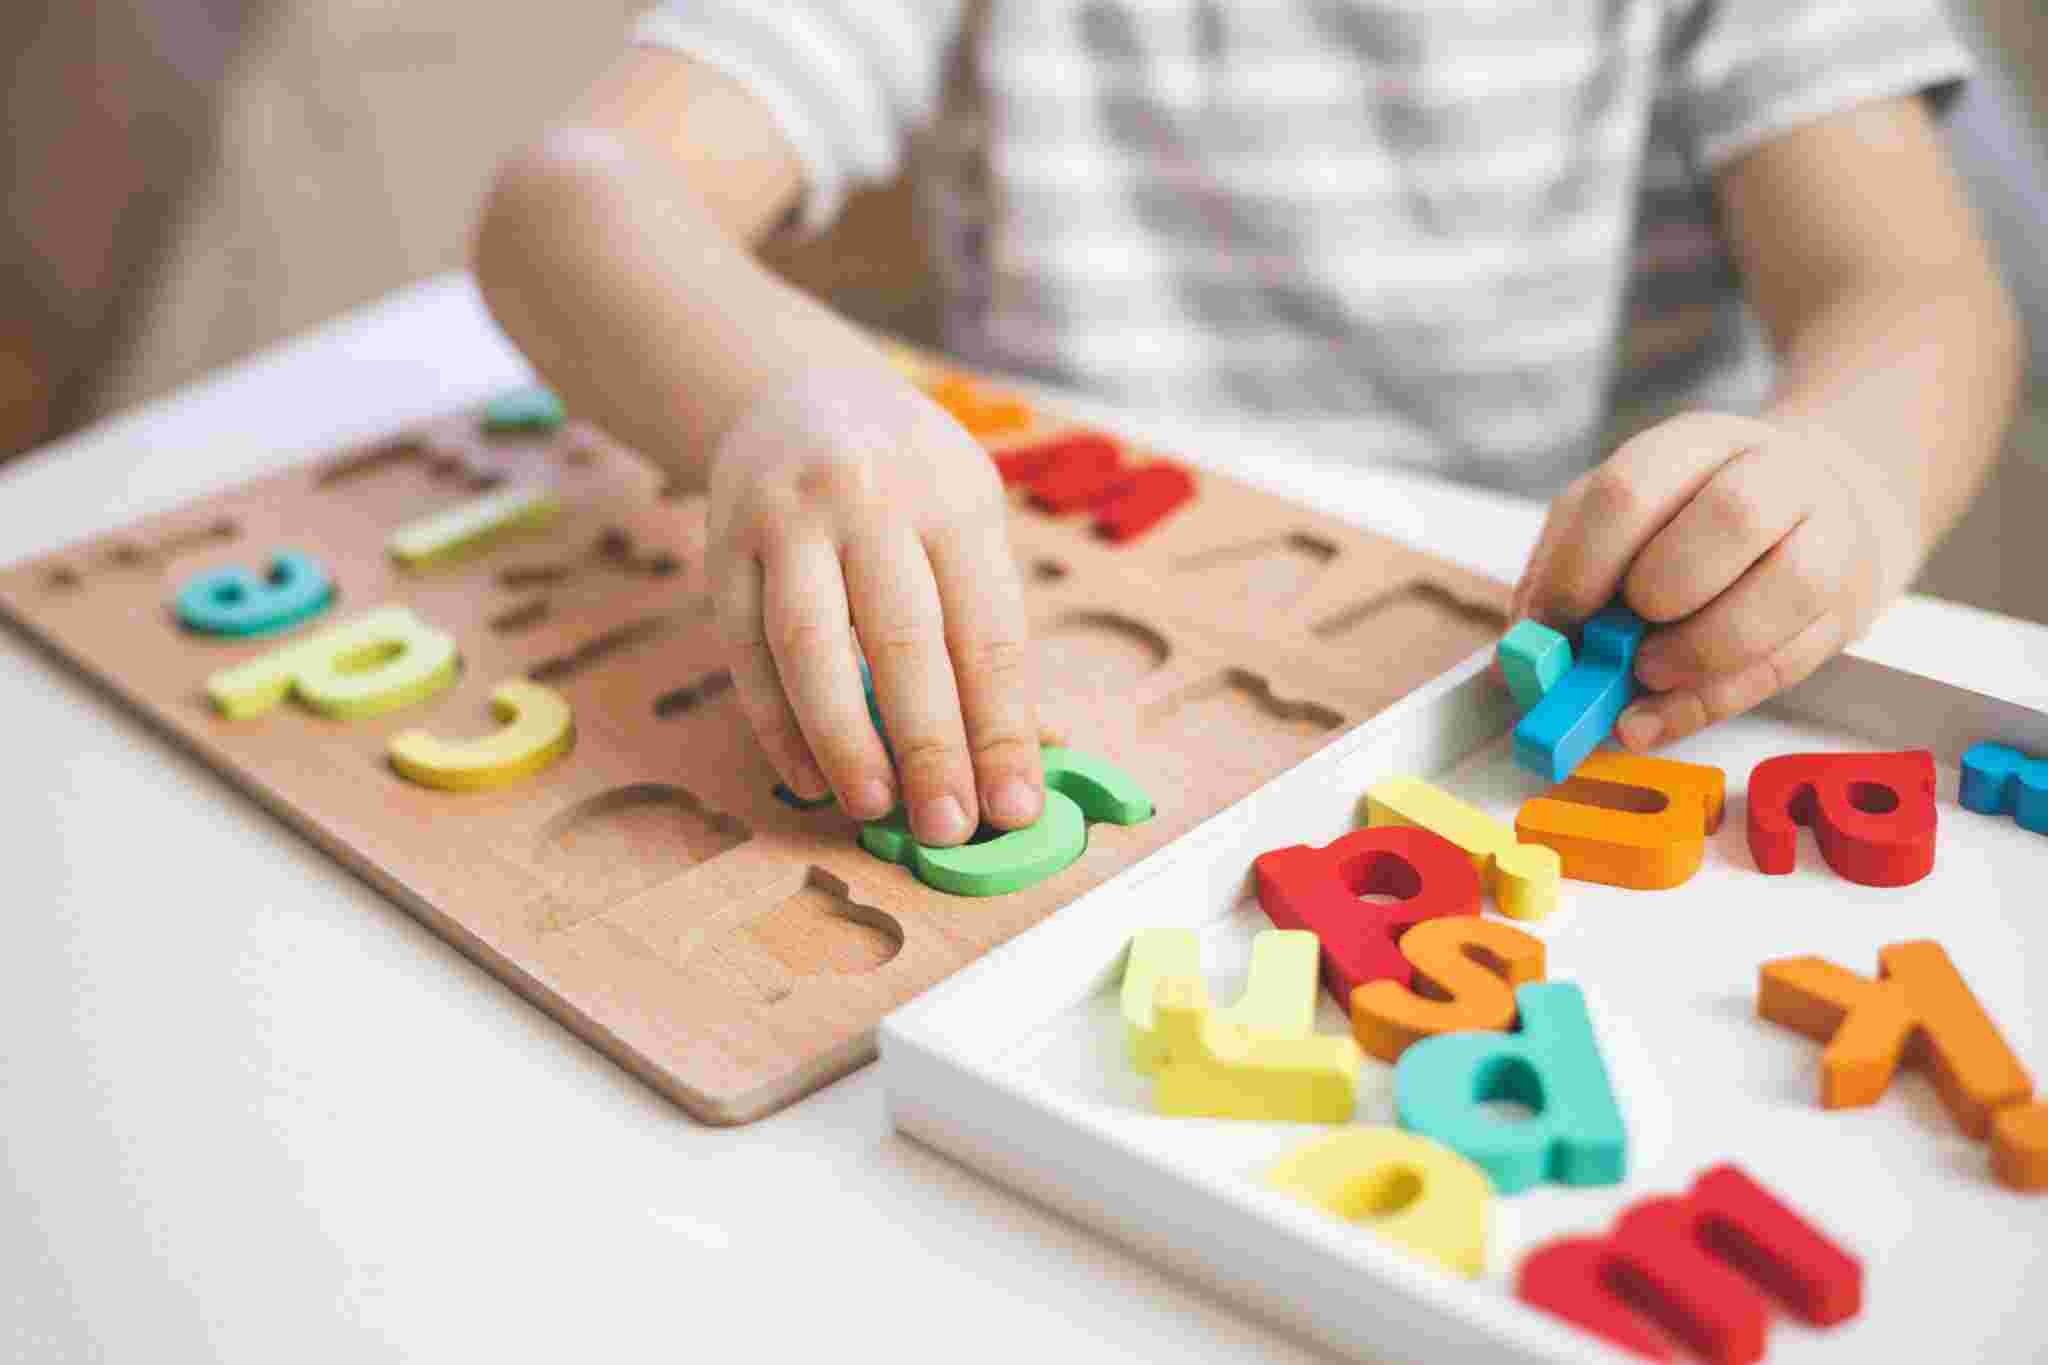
{"x":1871,"y":813}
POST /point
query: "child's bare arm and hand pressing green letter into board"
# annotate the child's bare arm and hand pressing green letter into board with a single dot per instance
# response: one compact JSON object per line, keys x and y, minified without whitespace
{"x":615,"y":253}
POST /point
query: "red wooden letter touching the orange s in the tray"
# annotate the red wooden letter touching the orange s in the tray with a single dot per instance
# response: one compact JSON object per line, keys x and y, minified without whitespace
{"x":1320,"y":891}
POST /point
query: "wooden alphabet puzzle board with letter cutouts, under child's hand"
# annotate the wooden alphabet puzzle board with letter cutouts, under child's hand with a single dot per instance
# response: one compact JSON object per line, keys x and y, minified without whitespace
{"x":648,"y":889}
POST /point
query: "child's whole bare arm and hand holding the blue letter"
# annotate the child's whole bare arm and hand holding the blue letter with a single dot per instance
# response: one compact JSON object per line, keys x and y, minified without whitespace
{"x":1768,"y":545}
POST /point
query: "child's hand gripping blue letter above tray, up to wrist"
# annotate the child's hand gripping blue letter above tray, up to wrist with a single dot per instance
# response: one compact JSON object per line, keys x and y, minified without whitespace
{"x":1760,"y":552}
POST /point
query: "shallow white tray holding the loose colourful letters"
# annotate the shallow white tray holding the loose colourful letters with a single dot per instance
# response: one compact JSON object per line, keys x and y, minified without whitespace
{"x":1017,"y":1065}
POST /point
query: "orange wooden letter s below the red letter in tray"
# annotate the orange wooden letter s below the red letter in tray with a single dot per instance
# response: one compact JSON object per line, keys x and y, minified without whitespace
{"x":1471,"y":963}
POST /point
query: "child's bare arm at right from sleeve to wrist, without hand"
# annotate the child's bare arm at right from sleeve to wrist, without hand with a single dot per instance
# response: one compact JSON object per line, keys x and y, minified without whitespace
{"x":1897,"y":343}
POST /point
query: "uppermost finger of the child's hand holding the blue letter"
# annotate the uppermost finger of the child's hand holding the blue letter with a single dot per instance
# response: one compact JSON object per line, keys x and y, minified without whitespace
{"x":1619,"y":509}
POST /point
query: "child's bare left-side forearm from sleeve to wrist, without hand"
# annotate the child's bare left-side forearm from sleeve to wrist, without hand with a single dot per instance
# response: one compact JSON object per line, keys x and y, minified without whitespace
{"x":622,"y":269}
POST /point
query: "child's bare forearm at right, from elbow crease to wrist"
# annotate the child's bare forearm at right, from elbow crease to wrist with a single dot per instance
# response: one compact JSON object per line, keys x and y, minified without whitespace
{"x":1918,"y":378}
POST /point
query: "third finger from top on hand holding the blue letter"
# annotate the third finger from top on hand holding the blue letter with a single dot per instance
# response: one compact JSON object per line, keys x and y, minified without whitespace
{"x":1779,"y":599}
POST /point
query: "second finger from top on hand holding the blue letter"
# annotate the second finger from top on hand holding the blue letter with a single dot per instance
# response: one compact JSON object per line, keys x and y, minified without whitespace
{"x":1732,"y":523}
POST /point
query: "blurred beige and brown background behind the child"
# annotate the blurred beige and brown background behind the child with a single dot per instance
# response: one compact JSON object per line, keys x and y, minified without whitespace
{"x":210,"y":177}
